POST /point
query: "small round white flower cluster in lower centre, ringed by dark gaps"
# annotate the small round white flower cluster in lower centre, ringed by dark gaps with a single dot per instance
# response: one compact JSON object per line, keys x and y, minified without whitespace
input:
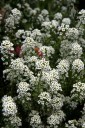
{"x":44,"y":98}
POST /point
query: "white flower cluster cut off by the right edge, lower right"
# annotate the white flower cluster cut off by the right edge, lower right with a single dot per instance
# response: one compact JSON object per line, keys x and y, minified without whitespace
{"x":78,"y":92}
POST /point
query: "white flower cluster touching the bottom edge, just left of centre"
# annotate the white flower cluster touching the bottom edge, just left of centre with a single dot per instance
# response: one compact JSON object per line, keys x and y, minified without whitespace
{"x":35,"y":120}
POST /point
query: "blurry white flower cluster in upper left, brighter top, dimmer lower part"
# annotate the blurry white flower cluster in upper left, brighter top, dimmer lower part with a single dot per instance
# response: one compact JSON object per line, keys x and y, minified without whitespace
{"x":13,"y":19}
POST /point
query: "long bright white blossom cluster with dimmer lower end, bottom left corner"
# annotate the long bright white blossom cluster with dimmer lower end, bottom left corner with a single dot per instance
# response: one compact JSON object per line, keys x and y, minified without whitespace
{"x":10,"y":111}
